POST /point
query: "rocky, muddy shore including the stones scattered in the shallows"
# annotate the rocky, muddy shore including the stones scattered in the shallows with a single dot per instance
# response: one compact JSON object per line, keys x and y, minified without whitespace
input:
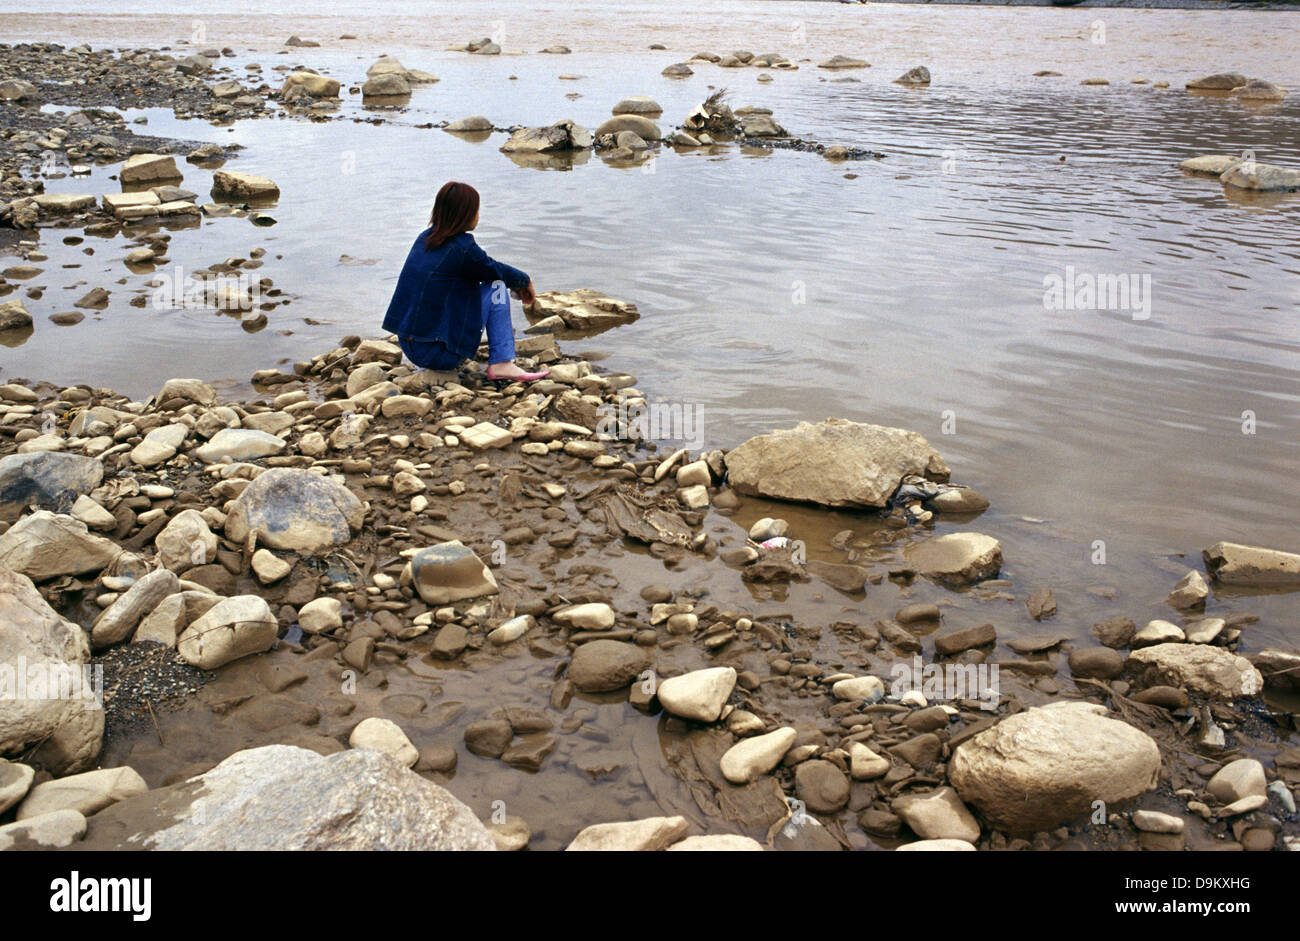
{"x":370,"y":608}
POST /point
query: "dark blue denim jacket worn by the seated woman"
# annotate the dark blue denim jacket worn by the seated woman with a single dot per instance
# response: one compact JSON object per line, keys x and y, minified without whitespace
{"x":437,"y":297}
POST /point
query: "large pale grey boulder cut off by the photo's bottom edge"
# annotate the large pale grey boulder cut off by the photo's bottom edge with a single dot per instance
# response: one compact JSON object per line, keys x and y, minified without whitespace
{"x":281,"y":797}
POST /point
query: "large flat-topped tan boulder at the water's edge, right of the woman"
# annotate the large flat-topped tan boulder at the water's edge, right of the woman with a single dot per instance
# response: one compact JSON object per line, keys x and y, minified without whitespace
{"x":834,"y":463}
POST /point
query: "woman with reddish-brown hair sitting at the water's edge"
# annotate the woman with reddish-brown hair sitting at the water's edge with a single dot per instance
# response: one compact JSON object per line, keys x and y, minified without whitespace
{"x":450,"y":290}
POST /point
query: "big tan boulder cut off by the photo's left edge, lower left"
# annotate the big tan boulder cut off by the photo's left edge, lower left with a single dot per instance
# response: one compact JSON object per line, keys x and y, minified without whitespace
{"x":34,"y":635}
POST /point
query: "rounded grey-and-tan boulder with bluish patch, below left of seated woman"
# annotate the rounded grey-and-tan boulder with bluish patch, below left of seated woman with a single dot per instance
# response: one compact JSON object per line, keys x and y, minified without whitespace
{"x":296,"y":510}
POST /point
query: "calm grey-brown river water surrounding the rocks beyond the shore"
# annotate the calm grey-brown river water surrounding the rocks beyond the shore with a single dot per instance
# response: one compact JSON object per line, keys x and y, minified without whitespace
{"x":922,"y":274}
